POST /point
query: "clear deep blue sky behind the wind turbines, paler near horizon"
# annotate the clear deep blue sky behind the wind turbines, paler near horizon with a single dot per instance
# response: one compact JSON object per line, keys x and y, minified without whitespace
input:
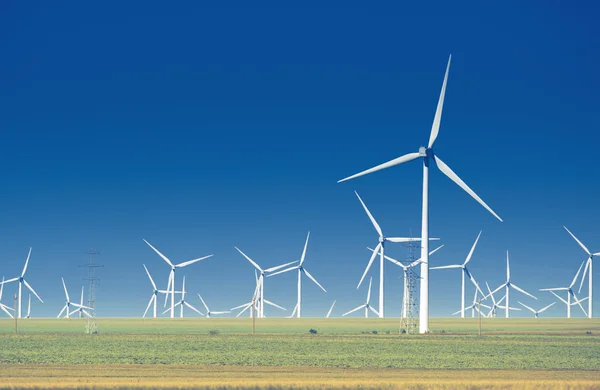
{"x":201,"y":128}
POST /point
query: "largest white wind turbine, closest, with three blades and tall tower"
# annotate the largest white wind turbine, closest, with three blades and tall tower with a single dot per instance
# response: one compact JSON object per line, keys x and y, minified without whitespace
{"x":428,"y":156}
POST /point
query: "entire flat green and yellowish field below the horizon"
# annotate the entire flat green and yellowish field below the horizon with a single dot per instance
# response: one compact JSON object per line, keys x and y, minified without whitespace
{"x":558,"y":352}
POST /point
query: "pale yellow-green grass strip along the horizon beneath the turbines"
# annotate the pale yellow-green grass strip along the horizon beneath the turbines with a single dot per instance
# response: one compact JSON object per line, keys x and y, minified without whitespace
{"x":340,"y":326}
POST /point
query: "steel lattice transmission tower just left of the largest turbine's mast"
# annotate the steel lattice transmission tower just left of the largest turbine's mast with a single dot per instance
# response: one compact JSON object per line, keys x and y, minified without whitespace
{"x":409,"y":316}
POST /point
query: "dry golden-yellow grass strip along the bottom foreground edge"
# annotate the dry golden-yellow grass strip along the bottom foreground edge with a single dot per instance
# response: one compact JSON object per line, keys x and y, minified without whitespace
{"x":145,"y":376}
